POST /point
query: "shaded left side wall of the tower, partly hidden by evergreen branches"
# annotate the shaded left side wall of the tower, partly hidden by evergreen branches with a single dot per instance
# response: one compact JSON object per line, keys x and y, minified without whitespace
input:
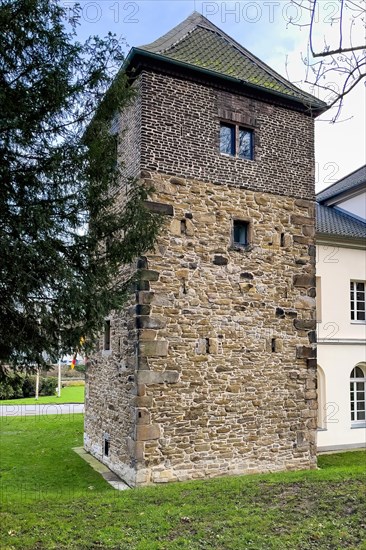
{"x":110,"y":382}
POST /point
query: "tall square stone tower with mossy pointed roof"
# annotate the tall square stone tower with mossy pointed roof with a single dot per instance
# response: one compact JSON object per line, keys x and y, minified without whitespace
{"x":211,"y":368}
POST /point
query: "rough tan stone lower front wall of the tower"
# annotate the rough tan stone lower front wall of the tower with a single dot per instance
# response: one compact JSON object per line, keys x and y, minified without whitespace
{"x":227,"y":382}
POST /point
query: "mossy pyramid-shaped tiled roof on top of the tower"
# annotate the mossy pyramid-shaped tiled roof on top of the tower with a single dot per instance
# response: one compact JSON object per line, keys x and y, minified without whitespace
{"x":198,"y":42}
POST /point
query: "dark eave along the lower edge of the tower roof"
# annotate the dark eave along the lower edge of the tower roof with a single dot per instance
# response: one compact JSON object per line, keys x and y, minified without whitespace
{"x":315,"y":108}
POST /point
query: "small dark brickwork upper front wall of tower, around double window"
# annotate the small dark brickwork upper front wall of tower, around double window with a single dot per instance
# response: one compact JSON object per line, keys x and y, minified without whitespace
{"x":180,"y":136}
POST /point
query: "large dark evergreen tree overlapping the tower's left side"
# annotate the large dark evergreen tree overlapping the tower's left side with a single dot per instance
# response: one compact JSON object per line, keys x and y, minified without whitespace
{"x":58,"y":179}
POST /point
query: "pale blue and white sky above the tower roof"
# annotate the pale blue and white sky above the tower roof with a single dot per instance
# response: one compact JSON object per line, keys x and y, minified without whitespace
{"x":264,"y":28}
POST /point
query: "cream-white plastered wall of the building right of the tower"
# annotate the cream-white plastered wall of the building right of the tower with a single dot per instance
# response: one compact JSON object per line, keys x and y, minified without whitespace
{"x":337,"y":266}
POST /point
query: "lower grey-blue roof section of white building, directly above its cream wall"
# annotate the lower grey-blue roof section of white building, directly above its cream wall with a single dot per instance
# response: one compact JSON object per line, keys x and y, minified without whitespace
{"x":331,"y":221}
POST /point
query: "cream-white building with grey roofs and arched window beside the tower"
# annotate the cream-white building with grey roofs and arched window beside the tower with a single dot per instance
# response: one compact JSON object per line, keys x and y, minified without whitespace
{"x":341,"y":280}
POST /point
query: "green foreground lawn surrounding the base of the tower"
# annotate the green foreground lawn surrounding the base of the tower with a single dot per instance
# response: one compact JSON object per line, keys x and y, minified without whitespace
{"x":52,"y":499}
